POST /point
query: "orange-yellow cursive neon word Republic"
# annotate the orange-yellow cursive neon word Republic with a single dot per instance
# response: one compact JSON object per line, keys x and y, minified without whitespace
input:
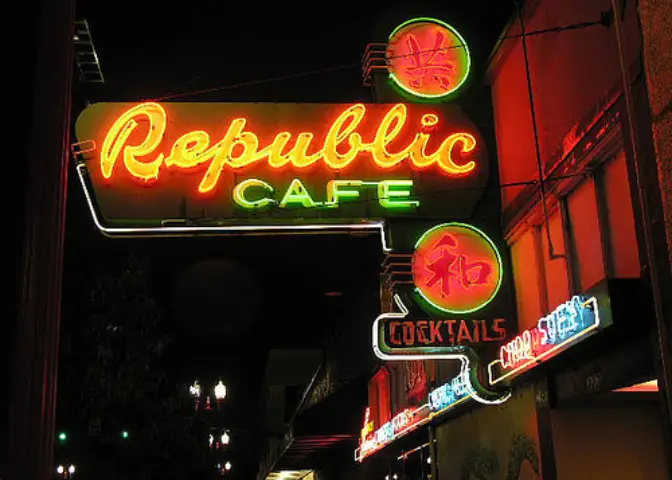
{"x":239,"y":148}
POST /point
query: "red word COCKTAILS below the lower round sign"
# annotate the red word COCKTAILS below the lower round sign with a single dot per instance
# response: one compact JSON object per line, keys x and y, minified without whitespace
{"x":441,"y":333}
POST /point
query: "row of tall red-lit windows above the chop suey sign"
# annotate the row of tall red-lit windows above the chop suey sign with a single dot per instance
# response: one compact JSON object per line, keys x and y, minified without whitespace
{"x":593,"y":236}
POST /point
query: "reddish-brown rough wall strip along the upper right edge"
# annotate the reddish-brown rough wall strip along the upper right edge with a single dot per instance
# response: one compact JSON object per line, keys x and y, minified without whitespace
{"x":656,"y":24}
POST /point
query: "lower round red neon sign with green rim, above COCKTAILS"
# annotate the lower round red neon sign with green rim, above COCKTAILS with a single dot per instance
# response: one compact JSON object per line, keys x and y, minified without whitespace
{"x":456,"y":268}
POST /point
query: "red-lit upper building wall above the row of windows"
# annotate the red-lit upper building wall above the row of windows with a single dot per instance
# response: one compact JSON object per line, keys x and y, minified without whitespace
{"x":573,"y":74}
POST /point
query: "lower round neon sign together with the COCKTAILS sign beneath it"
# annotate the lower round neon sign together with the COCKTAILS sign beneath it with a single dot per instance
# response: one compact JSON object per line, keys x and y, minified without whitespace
{"x":456,"y":269}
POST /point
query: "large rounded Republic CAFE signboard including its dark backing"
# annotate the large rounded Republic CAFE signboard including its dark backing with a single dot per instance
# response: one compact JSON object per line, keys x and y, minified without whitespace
{"x":138,"y":163}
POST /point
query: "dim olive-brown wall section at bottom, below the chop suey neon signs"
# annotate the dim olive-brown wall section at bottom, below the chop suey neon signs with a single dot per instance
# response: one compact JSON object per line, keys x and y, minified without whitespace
{"x":493,"y":442}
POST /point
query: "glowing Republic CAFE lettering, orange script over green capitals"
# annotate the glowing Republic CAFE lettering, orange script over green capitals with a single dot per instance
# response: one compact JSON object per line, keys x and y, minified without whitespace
{"x":136,"y":143}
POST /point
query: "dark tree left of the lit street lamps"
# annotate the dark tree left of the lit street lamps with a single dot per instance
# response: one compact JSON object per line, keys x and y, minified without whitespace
{"x":125,"y":388}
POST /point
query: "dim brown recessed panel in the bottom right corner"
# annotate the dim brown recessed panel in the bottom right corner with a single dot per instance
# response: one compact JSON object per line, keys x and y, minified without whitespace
{"x":614,"y":440}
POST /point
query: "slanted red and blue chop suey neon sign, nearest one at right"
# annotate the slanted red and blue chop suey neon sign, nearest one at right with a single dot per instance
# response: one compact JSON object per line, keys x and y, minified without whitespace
{"x":565,"y":325}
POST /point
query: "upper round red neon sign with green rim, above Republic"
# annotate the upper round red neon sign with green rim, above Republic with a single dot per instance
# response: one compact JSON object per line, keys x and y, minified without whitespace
{"x":427,"y":58}
